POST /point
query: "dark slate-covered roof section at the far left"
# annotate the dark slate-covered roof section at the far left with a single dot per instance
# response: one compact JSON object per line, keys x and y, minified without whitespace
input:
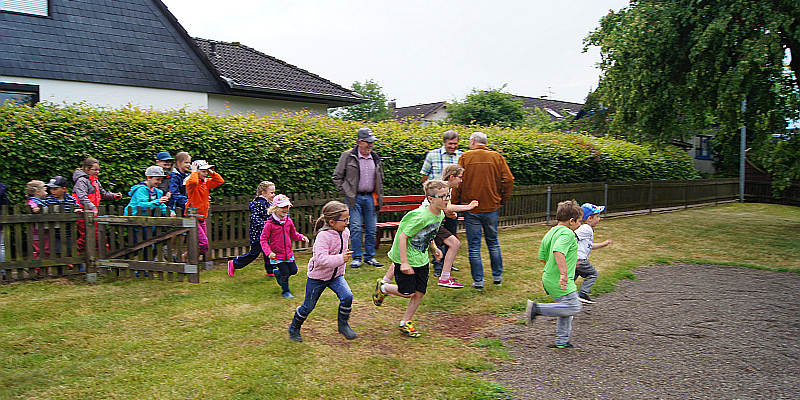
{"x":124,"y":42}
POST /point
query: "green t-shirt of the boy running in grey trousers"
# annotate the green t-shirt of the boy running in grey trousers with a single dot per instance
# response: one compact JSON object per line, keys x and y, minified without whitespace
{"x":561,"y":239}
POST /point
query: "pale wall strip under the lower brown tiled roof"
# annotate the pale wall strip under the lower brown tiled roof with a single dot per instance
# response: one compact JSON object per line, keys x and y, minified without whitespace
{"x":222,"y":105}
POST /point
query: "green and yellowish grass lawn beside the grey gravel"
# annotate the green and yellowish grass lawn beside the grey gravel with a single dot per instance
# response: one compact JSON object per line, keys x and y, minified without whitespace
{"x":225,"y":338}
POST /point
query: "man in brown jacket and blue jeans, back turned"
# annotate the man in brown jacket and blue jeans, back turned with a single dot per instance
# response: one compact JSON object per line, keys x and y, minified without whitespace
{"x":487,"y":179}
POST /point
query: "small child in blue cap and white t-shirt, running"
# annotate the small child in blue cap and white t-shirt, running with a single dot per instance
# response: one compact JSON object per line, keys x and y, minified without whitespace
{"x":585,"y":235}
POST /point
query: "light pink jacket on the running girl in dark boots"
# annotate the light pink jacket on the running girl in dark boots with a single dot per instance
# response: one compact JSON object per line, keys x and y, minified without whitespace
{"x":327,"y":262}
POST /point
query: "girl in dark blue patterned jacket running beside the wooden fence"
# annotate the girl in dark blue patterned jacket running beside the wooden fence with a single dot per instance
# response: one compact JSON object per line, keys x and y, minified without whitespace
{"x":258,"y":216}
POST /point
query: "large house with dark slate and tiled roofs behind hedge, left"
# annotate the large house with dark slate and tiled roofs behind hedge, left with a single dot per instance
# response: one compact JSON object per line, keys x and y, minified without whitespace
{"x":134,"y":52}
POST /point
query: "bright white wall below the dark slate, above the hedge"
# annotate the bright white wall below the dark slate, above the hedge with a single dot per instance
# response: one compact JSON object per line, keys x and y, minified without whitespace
{"x":113,"y":96}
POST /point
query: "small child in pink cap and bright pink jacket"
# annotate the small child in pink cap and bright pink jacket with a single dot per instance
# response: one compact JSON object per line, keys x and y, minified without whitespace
{"x":276,"y":242}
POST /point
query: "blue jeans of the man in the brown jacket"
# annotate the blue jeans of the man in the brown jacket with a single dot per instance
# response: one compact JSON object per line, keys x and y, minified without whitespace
{"x":477,"y":224}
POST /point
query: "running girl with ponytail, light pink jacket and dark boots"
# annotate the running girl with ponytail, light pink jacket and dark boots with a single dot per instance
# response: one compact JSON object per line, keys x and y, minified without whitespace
{"x":326,"y":268}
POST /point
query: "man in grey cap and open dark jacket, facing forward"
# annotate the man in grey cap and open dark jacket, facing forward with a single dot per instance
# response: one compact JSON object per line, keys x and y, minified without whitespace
{"x":359,"y":177}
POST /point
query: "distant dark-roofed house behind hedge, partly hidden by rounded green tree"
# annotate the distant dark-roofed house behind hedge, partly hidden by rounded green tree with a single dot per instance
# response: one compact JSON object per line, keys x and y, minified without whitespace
{"x":426,"y":114}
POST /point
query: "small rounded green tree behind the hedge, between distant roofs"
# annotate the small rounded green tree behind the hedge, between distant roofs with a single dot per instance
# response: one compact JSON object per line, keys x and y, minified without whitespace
{"x":487,"y":107}
